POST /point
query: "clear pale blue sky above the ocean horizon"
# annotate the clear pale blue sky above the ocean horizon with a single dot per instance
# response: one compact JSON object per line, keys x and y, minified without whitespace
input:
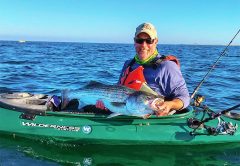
{"x":114,"y":21}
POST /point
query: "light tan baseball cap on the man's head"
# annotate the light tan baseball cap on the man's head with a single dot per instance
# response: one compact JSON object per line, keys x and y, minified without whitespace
{"x":147,"y":28}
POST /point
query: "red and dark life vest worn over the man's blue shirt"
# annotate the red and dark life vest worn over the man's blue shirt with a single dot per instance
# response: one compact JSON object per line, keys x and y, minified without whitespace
{"x":134,"y":79}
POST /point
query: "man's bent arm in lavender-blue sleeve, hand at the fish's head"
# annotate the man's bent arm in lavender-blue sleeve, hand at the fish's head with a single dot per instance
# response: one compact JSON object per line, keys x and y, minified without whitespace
{"x":174,"y":85}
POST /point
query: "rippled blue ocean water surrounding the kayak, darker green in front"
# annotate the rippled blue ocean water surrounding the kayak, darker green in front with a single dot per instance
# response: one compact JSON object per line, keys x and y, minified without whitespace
{"x":49,"y":67}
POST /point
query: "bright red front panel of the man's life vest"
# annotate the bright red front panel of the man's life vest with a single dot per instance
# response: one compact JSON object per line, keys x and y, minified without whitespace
{"x":133,"y":79}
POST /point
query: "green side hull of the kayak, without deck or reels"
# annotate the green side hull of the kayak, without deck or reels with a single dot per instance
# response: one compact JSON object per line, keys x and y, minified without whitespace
{"x":79,"y":128}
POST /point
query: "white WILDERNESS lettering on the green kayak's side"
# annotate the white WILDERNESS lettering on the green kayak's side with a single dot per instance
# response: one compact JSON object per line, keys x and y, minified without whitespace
{"x":58,"y":127}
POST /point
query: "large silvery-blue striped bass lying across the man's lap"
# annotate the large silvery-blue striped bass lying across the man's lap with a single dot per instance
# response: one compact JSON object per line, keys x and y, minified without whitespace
{"x":118,"y":99}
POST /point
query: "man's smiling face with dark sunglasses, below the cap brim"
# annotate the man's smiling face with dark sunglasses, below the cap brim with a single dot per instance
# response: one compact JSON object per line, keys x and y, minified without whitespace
{"x":145,"y":50}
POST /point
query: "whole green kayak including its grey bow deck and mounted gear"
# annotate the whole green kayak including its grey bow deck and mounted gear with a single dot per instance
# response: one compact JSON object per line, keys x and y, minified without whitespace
{"x":194,"y":125}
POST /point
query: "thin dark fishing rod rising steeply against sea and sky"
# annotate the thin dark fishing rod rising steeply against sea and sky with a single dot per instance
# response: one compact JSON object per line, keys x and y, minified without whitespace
{"x":213,"y":66}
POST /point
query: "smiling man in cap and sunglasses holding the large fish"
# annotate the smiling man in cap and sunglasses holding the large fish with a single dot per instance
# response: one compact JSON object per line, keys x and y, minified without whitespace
{"x":160,"y":73}
